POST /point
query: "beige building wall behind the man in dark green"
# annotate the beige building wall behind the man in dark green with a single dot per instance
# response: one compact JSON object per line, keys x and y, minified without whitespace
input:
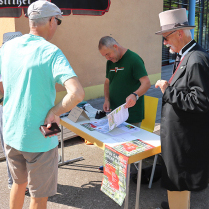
{"x":132,"y":23}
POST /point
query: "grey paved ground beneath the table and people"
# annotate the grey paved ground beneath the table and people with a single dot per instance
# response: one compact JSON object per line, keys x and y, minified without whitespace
{"x":79,"y":184}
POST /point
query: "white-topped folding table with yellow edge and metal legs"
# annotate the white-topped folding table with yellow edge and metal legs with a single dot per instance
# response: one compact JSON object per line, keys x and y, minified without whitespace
{"x":99,"y":140}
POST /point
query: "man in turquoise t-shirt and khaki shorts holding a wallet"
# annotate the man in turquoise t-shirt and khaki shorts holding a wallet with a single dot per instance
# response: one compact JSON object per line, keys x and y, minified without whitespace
{"x":30,"y":66}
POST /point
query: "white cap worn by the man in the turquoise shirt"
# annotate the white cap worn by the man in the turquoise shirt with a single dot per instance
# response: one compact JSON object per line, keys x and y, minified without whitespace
{"x":41,"y":9}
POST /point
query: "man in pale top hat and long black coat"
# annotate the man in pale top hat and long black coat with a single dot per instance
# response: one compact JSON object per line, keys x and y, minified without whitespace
{"x":185,"y":112}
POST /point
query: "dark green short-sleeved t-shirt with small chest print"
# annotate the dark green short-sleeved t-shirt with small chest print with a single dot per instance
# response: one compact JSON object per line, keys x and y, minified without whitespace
{"x":124,"y":78}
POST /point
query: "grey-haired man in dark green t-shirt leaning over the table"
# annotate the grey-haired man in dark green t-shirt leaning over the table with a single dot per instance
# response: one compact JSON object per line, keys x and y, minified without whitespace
{"x":126,"y":79}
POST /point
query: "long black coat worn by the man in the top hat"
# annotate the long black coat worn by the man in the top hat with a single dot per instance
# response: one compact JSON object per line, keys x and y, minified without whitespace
{"x":185,"y":125}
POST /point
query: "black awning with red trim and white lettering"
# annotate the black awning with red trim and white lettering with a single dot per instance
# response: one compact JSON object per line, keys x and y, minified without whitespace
{"x":14,"y":8}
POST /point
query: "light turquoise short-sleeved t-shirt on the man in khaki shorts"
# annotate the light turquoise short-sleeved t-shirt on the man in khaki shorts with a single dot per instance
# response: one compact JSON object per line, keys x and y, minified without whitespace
{"x":30,"y":66}
